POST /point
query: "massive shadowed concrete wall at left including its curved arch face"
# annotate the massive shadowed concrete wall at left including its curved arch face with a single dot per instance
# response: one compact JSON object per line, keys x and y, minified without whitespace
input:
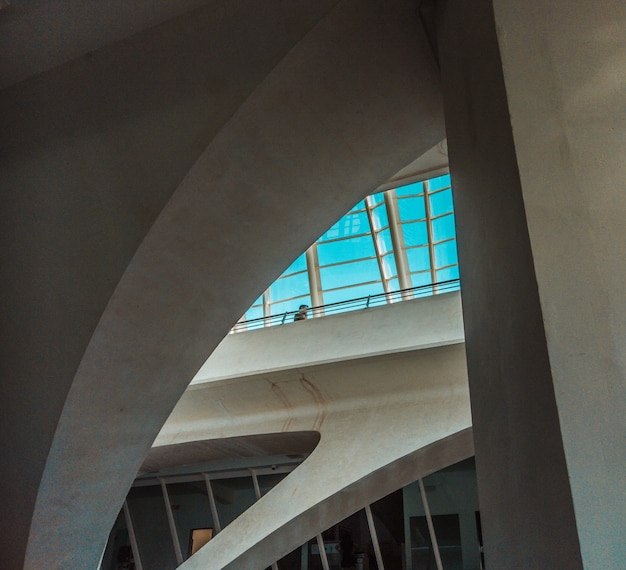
{"x":93,"y":150}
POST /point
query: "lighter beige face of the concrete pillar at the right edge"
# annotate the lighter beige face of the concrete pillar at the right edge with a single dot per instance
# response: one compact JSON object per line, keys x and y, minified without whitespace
{"x":565,"y":72}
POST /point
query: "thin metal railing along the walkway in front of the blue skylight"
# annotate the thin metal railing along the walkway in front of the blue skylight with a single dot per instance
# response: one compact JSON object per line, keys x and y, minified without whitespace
{"x":351,"y":305}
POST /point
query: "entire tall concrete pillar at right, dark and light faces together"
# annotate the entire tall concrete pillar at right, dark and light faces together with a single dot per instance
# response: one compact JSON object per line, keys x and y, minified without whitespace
{"x":535,"y":117}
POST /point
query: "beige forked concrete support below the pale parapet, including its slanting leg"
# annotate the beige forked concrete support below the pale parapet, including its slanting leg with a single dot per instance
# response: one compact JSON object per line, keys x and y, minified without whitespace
{"x":384,"y":421}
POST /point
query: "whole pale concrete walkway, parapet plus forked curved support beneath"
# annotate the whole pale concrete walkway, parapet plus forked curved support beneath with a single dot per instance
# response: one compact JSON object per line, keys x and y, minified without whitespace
{"x":386,"y":416}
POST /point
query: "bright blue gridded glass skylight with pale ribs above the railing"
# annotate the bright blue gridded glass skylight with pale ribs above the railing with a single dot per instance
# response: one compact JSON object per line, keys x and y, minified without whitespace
{"x":391,"y":241}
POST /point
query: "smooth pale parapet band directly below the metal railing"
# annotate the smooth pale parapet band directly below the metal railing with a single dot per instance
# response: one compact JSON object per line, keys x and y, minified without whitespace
{"x":398,"y":327}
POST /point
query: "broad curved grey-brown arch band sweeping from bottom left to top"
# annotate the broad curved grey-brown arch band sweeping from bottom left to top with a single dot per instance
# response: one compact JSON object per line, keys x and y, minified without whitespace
{"x":350,"y":105}
